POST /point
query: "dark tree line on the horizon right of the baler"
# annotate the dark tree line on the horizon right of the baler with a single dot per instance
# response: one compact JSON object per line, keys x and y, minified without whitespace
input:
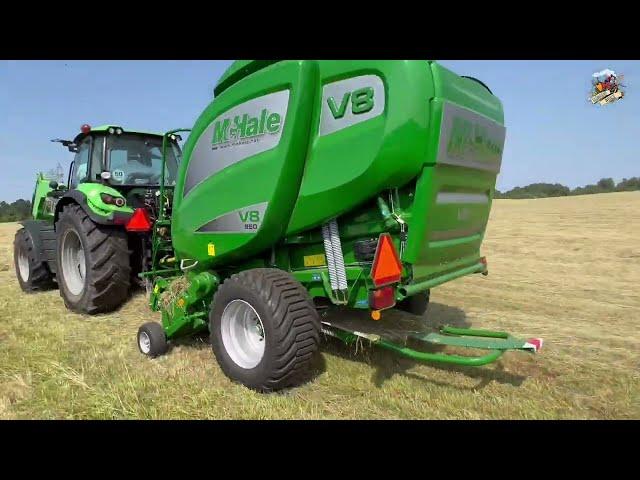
{"x":542,"y":190}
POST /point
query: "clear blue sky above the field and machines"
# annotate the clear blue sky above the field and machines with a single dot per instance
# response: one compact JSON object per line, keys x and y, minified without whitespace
{"x":553,"y":133}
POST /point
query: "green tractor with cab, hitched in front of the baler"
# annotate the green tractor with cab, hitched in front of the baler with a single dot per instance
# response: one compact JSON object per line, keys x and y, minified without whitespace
{"x":93,"y":236}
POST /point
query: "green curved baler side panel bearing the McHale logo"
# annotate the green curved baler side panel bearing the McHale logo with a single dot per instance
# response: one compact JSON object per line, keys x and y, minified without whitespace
{"x":239,"y":203}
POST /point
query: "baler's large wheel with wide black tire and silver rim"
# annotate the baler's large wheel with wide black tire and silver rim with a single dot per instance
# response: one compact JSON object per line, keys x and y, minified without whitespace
{"x":264,"y":309}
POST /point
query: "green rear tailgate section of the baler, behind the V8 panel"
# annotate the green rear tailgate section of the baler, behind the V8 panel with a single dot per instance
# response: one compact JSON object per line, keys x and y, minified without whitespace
{"x":454,"y":193}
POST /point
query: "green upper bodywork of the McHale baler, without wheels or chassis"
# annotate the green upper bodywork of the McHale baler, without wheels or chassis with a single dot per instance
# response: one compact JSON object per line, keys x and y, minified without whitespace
{"x":349,"y":131}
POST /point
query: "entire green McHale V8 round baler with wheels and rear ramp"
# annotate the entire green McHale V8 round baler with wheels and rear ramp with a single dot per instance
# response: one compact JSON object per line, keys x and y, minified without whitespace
{"x":313,"y":198}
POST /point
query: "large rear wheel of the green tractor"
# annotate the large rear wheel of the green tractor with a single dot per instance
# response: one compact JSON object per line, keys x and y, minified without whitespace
{"x":97,"y":280}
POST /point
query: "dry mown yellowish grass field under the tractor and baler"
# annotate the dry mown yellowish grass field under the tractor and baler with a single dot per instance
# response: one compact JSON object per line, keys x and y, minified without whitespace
{"x":566,"y":269}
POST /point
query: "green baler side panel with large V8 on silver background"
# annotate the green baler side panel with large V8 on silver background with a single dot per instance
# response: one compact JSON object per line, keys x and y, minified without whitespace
{"x":351,"y":165}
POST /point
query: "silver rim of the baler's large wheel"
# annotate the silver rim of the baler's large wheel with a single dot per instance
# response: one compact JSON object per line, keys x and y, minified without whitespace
{"x":243,"y":334}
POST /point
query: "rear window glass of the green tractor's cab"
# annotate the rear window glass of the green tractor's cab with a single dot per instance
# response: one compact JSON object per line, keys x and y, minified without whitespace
{"x":135,"y":159}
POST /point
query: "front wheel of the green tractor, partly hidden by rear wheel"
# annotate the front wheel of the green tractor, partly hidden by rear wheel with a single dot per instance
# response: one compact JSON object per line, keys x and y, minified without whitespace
{"x":33,"y":274}
